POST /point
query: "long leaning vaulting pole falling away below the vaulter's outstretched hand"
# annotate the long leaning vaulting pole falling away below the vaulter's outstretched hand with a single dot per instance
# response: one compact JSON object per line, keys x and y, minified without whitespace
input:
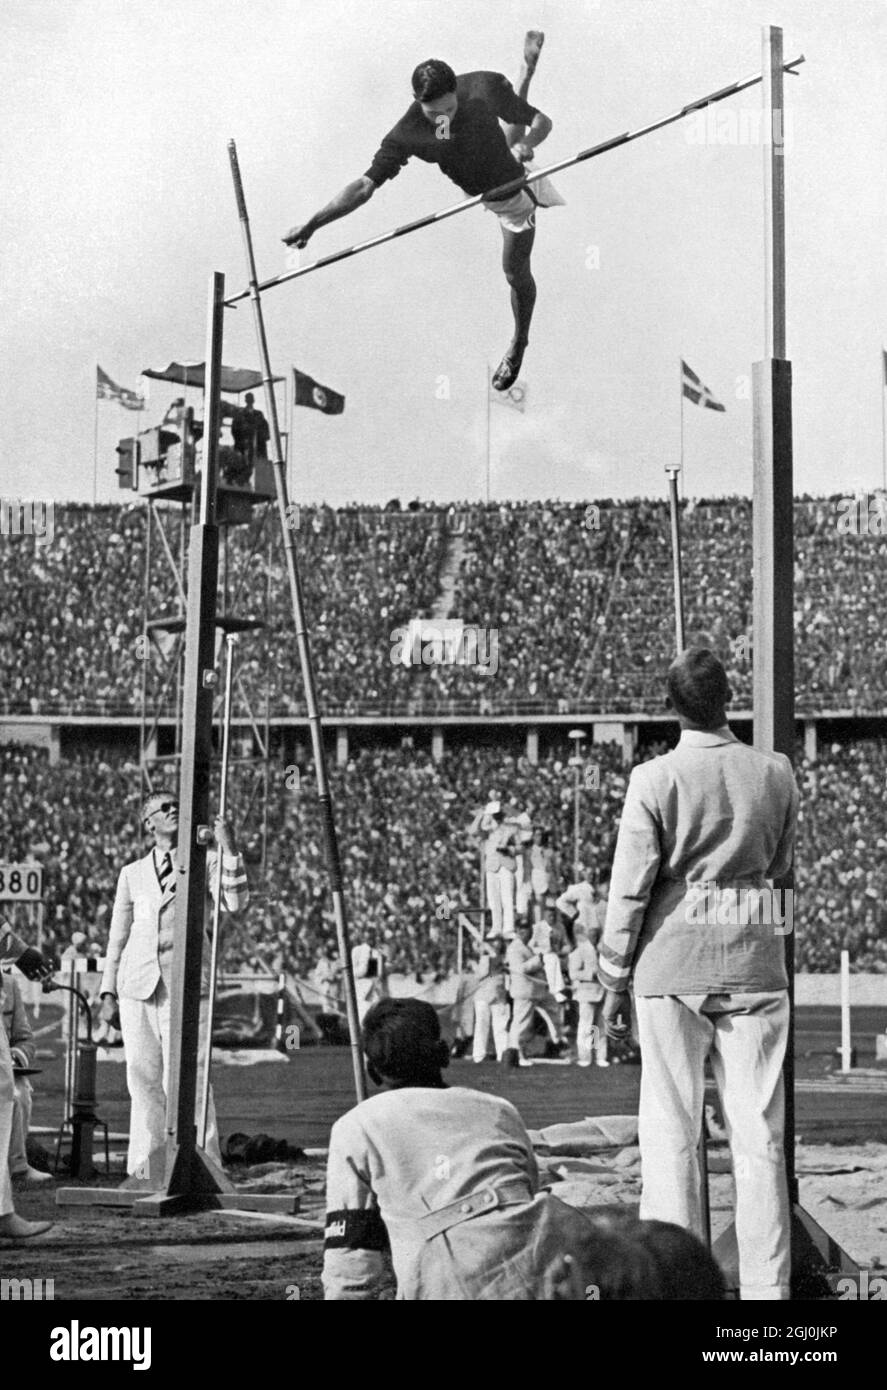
{"x":288,"y":518}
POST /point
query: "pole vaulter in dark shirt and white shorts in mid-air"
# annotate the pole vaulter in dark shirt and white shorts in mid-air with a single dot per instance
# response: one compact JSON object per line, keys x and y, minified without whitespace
{"x":455,"y":123}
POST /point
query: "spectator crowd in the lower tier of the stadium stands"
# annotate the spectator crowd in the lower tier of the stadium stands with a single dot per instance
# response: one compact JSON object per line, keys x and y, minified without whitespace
{"x":408,"y":862}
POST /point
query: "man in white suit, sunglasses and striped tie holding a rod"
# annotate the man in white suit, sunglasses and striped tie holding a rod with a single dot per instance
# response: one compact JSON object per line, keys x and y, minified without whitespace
{"x":138,"y":974}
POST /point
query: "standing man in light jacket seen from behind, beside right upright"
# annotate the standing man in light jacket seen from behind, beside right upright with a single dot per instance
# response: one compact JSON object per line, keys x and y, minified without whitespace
{"x":699,"y":929}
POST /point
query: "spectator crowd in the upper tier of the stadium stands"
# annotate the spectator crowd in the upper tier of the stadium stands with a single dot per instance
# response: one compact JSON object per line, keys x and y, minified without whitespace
{"x":580,"y":600}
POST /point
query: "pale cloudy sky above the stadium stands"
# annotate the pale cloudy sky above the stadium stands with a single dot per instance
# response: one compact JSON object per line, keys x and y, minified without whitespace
{"x":117,"y":205}
